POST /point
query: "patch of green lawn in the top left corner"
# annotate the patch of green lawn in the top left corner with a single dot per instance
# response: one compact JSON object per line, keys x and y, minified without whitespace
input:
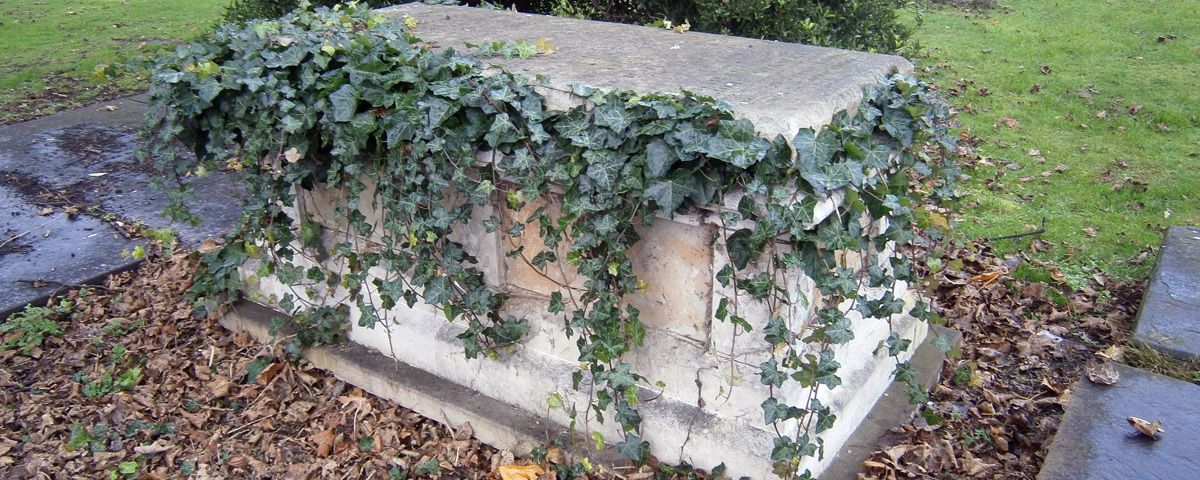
{"x":51,"y":47}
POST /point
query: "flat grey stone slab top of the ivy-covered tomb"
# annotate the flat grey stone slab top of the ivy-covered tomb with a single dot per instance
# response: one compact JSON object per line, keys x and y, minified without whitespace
{"x":779,"y":87}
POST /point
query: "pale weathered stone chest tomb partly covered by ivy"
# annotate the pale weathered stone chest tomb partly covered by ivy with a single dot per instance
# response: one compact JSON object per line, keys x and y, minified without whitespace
{"x":709,"y":412}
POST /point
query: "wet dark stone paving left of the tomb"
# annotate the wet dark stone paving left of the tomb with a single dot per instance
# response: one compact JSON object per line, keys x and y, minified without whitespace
{"x":87,"y":159}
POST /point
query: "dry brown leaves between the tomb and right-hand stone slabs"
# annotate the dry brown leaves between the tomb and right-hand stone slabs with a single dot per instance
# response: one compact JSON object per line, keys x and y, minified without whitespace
{"x":1025,"y":343}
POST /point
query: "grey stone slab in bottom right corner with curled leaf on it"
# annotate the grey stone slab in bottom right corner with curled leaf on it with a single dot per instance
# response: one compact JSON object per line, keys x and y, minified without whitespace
{"x":1096,"y":442}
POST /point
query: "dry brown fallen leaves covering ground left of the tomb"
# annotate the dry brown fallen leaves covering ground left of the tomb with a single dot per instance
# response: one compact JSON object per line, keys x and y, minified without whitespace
{"x":194,"y":404}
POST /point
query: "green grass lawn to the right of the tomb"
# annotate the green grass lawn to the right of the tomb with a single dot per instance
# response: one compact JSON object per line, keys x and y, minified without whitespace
{"x":1101,"y":57}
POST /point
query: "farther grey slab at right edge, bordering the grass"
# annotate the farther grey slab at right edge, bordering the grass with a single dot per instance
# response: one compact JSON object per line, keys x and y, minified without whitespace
{"x":1169,"y":320}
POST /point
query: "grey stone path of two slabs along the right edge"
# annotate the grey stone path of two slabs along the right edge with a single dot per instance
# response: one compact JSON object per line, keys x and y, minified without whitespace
{"x":1096,"y":441}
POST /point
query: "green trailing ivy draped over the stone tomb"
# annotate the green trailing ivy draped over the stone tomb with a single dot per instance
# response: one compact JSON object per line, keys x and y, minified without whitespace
{"x":349,"y":101}
